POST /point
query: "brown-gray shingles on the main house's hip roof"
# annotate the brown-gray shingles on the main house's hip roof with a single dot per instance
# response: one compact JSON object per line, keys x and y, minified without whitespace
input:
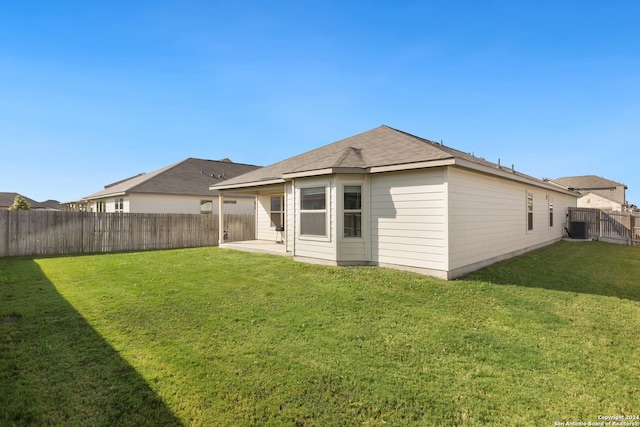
{"x":382,"y":146}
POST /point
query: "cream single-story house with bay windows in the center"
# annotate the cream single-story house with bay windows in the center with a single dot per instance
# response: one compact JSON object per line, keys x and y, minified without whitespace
{"x":389,"y":198}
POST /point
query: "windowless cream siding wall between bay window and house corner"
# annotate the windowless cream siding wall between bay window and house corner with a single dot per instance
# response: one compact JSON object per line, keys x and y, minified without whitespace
{"x":408,"y":219}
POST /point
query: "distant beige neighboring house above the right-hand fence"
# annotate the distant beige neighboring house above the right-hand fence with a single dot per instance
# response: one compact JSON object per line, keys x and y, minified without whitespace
{"x":595,"y":192}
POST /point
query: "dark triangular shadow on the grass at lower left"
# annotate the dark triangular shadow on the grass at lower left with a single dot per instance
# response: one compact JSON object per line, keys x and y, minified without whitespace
{"x":55,"y":369}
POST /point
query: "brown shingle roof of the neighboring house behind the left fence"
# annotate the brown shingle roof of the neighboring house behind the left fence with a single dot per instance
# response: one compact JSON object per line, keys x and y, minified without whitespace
{"x":189,"y":177}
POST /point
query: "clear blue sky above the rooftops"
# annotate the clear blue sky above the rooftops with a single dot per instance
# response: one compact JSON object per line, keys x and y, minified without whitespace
{"x":94,"y":92}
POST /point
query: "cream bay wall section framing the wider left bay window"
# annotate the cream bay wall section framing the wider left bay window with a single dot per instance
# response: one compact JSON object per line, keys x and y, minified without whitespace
{"x":312,"y":247}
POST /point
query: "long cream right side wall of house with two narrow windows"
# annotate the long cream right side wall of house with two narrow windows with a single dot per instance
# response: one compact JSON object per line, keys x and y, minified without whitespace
{"x":488,"y":219}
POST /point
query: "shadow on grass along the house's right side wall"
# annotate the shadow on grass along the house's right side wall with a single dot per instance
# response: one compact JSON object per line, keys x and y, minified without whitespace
{"x":595,"y":268}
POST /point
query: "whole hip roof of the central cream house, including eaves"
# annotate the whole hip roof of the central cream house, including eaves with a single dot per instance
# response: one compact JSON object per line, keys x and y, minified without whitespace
{"x":377,"y":150}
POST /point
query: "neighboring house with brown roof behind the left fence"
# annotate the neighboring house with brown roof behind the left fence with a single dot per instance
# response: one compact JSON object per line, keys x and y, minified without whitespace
{"x":179,"y":188}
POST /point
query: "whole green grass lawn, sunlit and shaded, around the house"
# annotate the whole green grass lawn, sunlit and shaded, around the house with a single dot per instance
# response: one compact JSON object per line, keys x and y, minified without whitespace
{"x":217,"y":337}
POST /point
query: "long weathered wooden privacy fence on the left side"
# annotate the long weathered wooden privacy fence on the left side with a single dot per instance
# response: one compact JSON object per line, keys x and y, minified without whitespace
{"x":55,"y":232}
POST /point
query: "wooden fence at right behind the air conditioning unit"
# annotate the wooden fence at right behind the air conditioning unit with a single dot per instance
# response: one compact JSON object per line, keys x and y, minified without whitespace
{"x":609,"y":226}
